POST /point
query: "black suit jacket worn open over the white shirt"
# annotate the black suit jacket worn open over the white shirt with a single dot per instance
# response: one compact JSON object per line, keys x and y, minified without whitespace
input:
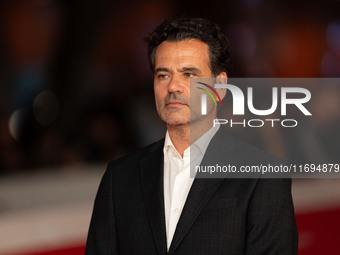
{"x":221,"y":216}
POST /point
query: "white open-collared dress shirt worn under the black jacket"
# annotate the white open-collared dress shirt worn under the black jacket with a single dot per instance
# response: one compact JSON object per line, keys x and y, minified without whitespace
{"x":177,"y":181}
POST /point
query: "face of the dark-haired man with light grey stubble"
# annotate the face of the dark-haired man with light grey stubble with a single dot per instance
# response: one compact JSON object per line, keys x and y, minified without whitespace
{"x":175,"y":64}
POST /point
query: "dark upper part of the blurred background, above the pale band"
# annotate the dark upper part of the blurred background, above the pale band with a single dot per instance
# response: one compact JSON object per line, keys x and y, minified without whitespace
{"x":75,"y":81}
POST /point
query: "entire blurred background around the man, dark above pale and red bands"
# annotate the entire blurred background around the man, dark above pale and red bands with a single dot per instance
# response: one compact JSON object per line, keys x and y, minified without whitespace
{"x":76,"y":91}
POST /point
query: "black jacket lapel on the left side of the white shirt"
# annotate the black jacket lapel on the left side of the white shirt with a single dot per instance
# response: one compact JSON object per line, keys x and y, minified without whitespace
{"x":152,"y":188}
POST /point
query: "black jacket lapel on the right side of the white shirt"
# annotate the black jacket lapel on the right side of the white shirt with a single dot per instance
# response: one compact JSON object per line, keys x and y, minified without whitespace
{"x":202,"y":189}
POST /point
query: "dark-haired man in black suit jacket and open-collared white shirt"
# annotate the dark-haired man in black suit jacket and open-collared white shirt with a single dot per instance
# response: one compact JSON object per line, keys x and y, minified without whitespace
{"x":148,"y":204}
